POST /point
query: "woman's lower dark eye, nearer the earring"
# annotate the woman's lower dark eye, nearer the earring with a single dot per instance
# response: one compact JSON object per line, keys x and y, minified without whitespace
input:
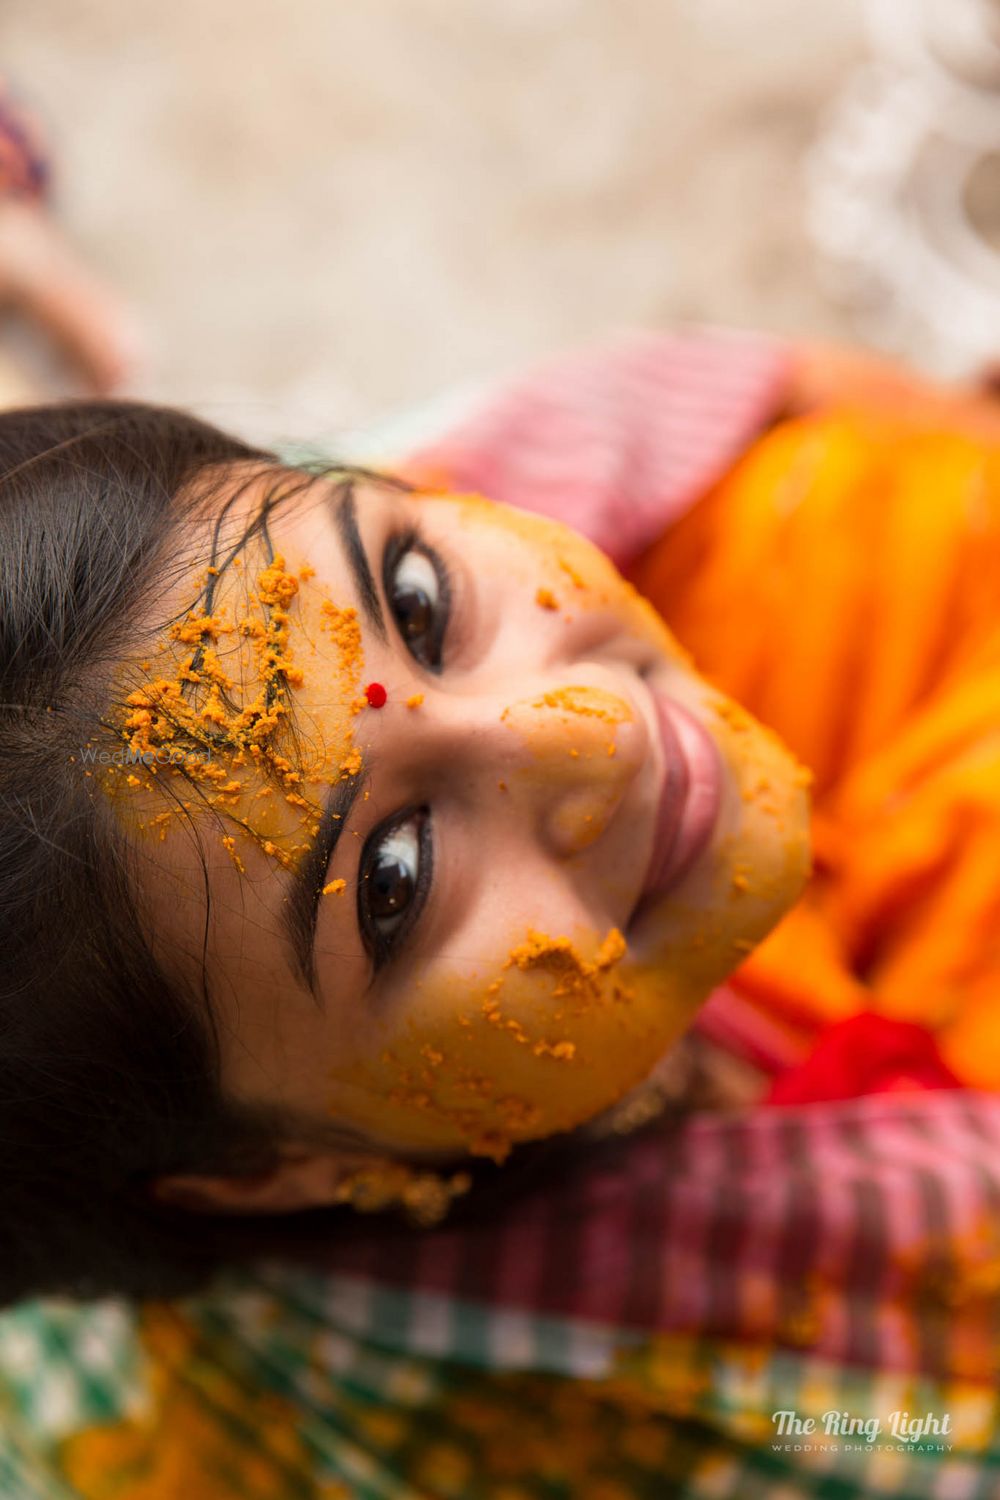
{"x":394,"y":883}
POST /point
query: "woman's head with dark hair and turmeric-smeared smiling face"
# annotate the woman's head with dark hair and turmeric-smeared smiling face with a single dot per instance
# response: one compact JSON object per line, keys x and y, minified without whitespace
{"x":382,"y":824}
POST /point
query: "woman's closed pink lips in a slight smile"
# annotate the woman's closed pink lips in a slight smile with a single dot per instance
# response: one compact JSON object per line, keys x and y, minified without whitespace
{"x":689,"y":797}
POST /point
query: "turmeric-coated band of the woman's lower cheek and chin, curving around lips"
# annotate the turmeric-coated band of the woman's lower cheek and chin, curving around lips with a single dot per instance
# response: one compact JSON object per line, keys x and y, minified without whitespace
{"x":560,"y":1028}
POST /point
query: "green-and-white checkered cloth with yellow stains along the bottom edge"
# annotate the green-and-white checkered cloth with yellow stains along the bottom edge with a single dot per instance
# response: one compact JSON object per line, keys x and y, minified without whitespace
{"x":319,"y":1387}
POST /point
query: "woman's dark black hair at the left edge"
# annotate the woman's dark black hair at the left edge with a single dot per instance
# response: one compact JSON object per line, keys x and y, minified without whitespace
{"x":109,"y":1073}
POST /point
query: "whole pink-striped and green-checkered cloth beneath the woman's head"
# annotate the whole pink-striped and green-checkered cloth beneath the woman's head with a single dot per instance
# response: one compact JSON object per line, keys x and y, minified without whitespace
{"x":454,"y":1370}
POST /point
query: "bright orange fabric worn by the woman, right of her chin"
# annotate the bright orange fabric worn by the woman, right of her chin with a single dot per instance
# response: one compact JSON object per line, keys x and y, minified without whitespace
{"x":845,"y":584}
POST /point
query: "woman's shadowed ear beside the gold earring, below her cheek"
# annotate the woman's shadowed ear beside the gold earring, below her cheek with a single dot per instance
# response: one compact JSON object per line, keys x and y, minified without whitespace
{"x":304,"y":1180}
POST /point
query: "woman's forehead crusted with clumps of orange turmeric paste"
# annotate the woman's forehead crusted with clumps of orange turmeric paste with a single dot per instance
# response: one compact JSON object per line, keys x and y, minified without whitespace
{"x":244,"y":710}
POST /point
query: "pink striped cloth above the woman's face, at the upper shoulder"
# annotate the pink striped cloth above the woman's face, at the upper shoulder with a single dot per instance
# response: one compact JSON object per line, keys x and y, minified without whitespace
{"x":621,"y":440}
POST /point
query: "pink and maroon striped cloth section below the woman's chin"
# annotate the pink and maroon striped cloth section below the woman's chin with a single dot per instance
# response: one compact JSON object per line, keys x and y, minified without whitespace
{"x":867,"y":1232}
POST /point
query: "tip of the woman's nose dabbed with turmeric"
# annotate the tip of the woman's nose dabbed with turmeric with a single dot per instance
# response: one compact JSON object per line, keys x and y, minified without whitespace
{"x":572,"y":754}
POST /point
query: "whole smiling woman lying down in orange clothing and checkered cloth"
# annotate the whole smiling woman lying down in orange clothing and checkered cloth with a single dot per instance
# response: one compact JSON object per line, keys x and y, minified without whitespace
{"x":362,"y":833}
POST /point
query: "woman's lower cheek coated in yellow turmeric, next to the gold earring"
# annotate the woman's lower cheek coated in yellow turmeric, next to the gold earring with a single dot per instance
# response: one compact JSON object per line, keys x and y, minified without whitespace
{"x":555,"y":1034}
